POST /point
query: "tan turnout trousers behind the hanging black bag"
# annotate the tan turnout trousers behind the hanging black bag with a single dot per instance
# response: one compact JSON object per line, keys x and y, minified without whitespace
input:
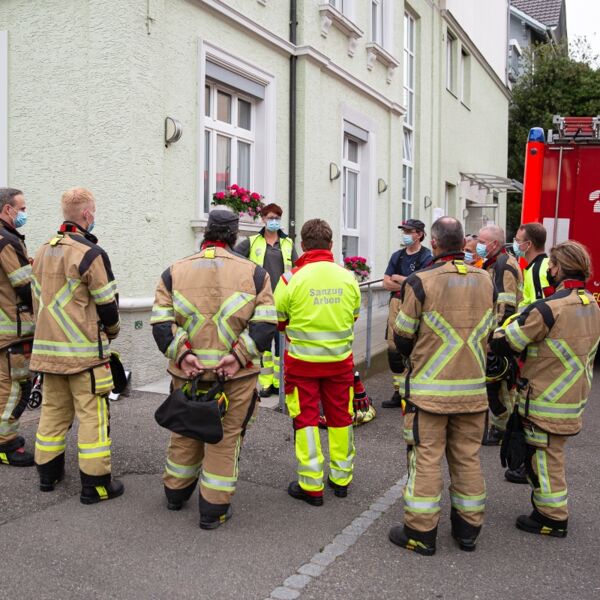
{"x":215,"y":464}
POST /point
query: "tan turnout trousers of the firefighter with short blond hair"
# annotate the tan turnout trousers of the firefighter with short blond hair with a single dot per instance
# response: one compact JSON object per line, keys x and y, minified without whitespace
{"x":85,"y":396}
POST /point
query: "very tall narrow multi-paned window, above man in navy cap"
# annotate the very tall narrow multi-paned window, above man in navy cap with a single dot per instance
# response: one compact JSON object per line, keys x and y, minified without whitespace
{"x":409,"y":117}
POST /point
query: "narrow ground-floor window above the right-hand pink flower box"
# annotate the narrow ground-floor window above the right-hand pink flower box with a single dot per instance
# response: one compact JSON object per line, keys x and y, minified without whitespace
{"x":351,"y":196}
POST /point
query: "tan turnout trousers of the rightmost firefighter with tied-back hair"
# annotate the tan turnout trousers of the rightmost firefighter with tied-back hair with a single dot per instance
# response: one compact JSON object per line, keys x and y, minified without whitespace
{"x":546,"y":460}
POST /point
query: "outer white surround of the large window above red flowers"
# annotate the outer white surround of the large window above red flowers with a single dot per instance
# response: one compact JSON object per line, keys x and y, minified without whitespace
{"x":264,"y":113}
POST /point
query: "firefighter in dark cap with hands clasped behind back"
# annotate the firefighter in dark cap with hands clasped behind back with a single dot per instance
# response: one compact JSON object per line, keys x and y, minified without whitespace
{"x":213,"y":314}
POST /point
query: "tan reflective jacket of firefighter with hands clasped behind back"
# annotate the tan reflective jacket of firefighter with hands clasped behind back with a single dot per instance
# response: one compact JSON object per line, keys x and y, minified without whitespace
{"x":214,"y":303}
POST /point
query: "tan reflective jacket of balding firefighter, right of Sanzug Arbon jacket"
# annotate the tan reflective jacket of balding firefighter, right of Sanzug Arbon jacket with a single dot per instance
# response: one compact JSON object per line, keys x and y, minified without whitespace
{"x":446,"y":316}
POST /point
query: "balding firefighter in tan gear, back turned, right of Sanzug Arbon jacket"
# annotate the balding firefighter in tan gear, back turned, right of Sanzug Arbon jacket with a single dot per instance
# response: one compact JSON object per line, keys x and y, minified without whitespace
{"x":443,"y":327}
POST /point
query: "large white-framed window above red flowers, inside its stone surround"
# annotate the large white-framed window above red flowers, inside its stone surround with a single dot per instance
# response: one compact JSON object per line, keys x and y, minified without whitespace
{"x":229,"y":139}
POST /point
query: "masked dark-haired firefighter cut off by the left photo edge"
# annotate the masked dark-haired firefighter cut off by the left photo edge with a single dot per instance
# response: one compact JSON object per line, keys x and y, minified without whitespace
{"x":16,"y":327}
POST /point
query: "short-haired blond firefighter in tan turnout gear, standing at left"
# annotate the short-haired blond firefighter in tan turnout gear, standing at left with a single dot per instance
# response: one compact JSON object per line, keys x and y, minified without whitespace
{"x":76,"y":308}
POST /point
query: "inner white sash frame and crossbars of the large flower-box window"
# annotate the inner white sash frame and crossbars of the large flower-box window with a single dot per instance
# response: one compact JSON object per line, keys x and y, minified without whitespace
{"x":231,"y":131}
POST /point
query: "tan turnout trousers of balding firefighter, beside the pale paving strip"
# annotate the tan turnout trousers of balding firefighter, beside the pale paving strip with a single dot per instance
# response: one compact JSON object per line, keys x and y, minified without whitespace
{"x":429,"y":436}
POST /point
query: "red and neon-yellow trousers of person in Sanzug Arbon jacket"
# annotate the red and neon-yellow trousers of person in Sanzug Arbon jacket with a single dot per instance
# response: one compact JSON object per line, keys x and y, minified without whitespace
{"x":336,"y":393}
